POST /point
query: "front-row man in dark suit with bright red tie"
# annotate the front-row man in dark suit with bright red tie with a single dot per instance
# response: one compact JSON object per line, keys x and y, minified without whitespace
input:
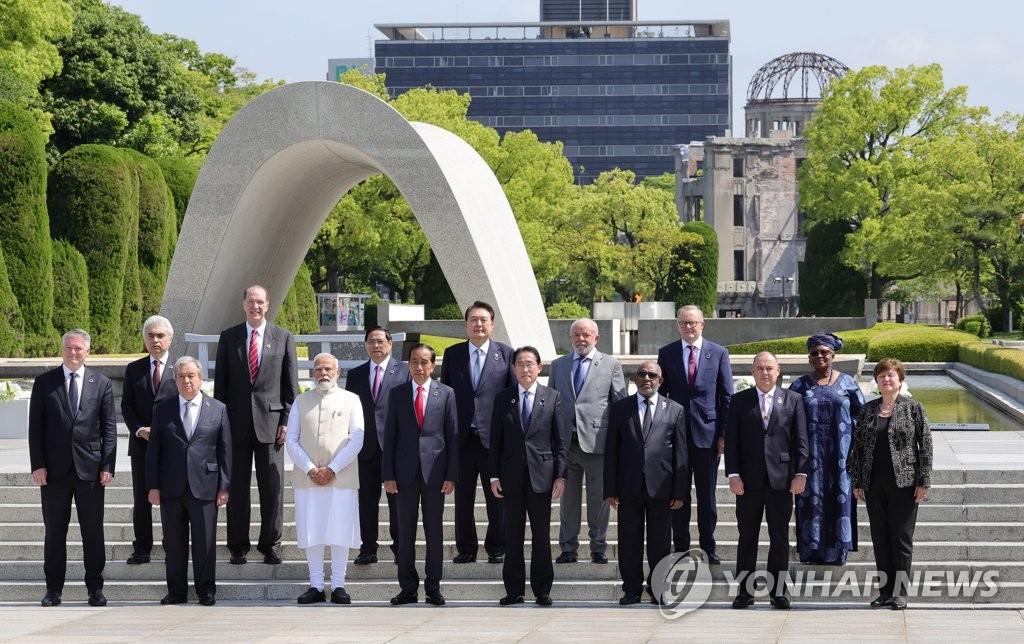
{"x":421,"y":465}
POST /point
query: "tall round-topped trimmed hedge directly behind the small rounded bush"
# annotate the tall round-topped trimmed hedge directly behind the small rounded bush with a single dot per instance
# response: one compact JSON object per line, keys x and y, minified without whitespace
{"x":93,"y":205}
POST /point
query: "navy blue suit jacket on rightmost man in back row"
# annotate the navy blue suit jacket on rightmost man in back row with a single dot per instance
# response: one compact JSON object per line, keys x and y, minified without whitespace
{"x":707,"y":402}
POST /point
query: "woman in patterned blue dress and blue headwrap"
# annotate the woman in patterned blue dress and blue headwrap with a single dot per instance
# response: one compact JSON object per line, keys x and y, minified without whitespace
{"x":826,"y":520}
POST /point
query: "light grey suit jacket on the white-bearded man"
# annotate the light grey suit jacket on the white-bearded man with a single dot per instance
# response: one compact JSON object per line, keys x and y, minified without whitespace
{"x":588,"y":413}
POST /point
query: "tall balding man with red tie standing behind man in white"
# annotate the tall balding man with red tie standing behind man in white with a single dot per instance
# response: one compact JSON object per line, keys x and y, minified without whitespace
{"x":258,"y":378}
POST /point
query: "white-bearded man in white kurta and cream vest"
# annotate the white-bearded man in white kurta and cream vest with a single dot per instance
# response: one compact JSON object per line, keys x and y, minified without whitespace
{"x":325,"y":435}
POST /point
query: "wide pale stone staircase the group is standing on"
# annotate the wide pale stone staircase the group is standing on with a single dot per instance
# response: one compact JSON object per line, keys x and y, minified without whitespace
{"x":970,"y":535}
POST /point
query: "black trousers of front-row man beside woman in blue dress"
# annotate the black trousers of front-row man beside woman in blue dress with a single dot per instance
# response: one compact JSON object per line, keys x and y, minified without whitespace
{"x":776,"y":506}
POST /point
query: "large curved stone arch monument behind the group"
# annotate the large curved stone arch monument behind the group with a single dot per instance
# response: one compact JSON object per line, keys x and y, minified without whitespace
{"x":286,"y":159}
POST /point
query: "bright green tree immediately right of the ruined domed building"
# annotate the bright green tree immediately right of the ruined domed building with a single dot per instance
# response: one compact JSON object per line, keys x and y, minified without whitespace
{"x":864,"y":159}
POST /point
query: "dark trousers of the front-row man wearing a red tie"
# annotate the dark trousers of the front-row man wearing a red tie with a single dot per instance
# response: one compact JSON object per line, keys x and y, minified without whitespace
{"x":412,"y":498}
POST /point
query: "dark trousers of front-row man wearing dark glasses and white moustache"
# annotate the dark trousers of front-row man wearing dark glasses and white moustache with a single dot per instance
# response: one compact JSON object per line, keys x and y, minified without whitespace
{"x":634,"y":516}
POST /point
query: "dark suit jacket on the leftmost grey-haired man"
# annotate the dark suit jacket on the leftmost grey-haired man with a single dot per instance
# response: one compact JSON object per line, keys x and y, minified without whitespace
{"x":83,"y":445}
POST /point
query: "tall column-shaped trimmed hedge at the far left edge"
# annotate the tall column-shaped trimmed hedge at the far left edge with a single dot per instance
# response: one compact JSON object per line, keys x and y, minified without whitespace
{"x":25,"y":228}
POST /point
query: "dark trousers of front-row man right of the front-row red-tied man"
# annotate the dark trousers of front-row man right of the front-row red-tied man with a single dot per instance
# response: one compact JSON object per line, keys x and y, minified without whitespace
{"x":536,"y":506}
